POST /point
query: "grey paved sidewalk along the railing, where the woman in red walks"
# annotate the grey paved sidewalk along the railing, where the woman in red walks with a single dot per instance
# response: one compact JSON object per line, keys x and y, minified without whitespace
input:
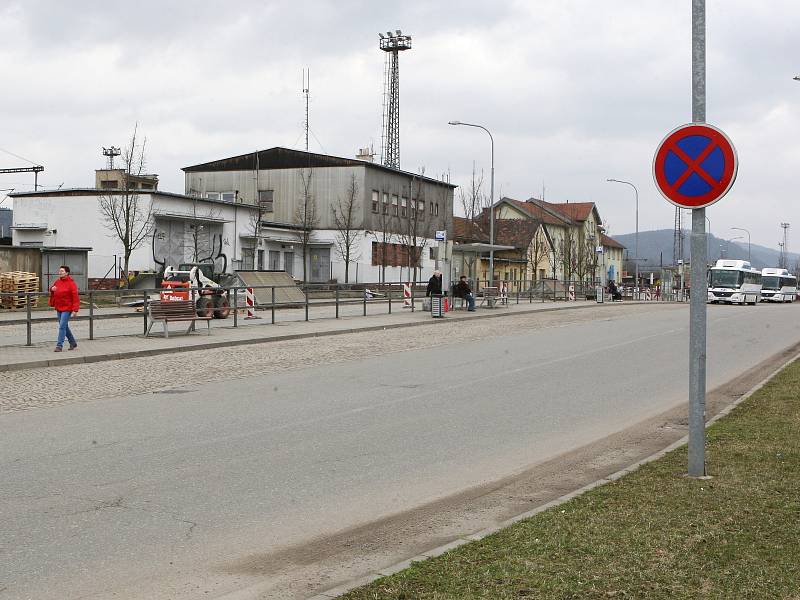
{"x":19,"y":357}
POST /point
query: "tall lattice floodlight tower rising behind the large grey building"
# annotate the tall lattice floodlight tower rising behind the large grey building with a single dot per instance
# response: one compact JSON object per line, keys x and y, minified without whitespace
{"x":392,"y":44}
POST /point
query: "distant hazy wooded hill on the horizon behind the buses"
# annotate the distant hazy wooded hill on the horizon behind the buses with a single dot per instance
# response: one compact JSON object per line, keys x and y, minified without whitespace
{"x":653,"y":245}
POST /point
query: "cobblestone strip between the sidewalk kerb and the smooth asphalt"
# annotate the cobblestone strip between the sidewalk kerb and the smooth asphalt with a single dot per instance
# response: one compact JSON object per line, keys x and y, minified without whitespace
{"x":57,"y":386}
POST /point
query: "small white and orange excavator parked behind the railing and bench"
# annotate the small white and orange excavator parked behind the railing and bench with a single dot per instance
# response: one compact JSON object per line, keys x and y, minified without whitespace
{"x":195,"y":281}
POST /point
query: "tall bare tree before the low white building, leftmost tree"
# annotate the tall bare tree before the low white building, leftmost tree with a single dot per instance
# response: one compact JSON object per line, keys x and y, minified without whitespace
{"x":126,"y":215}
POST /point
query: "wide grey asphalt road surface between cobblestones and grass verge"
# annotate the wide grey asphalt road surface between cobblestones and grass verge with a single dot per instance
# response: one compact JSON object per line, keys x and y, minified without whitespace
{"x":180,"y":494}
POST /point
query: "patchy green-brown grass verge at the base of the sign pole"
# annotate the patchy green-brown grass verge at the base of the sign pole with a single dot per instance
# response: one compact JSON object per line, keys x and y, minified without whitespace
{"x":654,"y":533}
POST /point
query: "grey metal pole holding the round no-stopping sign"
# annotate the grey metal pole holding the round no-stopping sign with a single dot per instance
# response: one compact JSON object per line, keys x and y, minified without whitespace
{"x":699,"y":291}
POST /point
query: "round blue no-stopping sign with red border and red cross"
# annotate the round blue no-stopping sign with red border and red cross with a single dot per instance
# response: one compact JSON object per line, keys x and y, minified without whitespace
{"x":695,"y":165}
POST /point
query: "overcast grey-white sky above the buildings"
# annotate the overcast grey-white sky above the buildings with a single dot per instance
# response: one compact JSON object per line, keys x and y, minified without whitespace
{"x":574,"y":92}
